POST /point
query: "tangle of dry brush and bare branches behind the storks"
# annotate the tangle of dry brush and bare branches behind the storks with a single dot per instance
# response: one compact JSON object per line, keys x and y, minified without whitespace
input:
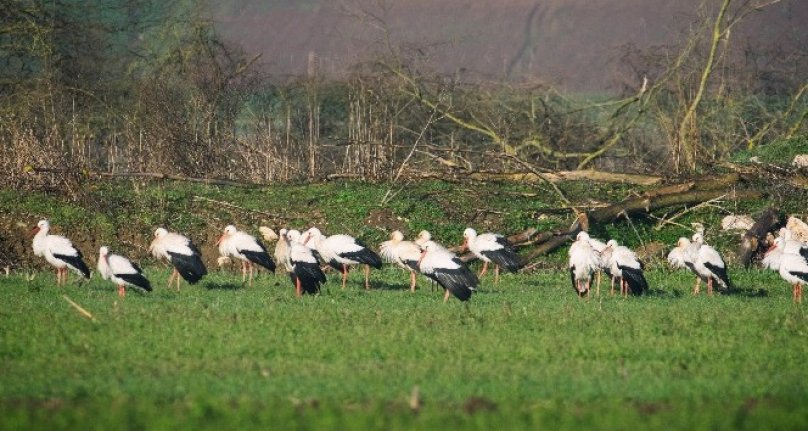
{"x":100,"y":88}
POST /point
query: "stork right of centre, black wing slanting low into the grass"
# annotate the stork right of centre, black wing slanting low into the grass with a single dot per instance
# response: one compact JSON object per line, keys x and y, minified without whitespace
{"x":447,"y":270}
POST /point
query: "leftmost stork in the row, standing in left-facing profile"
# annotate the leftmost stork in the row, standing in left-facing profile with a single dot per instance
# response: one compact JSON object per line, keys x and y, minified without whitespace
{"x":58,"y":251}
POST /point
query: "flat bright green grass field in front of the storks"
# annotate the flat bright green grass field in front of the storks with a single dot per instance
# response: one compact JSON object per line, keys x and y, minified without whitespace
{"x":524,"y":354}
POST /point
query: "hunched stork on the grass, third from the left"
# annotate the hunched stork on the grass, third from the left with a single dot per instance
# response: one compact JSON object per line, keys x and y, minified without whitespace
{"x":181,"y":253}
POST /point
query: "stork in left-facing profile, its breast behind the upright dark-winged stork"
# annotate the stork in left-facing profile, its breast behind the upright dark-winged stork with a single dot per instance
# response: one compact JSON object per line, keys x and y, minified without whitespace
{"x":342,"y":251}
